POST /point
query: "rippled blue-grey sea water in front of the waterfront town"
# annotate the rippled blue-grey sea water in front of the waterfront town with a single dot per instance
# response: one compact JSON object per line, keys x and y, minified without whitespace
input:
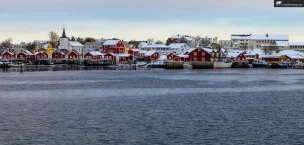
{"x":237,"y":106}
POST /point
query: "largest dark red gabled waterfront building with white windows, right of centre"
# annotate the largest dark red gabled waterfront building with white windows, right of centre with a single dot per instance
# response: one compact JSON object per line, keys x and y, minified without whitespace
{"x":201,"y":54}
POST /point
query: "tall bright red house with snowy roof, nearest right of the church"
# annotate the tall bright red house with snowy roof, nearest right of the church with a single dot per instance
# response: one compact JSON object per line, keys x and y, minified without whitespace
{"x":113,"y":46}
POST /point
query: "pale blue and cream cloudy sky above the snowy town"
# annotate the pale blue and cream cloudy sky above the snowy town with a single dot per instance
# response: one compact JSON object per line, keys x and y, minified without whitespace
{"x":27,"y":20}
